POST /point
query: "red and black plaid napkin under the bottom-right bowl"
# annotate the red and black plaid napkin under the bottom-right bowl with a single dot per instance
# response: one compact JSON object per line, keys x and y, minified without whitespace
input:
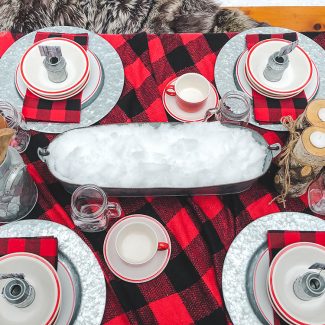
{"x":277,"y":240}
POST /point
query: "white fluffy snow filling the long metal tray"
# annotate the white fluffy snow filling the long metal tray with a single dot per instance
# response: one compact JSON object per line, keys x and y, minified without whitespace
{"x":143,"y":156}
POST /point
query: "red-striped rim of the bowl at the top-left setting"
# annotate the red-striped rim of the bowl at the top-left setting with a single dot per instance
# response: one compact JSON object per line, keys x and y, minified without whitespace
{"x":44,"y":40}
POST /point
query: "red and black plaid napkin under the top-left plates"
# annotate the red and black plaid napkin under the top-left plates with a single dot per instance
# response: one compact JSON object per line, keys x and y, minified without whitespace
{"x":64,"y":111}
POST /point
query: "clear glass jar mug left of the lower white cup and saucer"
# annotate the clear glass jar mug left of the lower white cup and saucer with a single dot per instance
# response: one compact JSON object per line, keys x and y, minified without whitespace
{"x":91,"y":210}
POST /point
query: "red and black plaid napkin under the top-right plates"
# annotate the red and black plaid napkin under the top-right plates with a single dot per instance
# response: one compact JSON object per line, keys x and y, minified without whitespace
{"x":269,"y":110}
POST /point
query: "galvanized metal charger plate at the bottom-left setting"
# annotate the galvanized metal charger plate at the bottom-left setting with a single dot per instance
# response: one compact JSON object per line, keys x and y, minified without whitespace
{"x":80,"y":261}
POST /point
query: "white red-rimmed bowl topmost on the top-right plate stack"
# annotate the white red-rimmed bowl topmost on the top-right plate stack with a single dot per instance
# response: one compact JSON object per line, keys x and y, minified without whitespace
{"x":295,"y":77}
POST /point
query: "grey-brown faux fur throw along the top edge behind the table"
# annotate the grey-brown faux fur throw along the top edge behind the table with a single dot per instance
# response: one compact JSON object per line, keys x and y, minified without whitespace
{"x":123,"y":16}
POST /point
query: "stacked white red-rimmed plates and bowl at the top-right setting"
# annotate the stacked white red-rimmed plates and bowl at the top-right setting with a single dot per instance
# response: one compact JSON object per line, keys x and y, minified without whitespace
{"x":300,"y":75}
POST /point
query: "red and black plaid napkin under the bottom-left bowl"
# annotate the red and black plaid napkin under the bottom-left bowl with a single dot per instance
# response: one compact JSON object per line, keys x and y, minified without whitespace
{"x":46,"y":247}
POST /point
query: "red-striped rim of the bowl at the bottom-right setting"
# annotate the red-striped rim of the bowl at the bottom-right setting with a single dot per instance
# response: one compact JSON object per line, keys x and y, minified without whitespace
{"x":270,"y":278}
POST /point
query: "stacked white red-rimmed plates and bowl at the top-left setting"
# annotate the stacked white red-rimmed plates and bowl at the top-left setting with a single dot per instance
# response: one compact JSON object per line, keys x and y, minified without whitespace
{"x":83,"y":72}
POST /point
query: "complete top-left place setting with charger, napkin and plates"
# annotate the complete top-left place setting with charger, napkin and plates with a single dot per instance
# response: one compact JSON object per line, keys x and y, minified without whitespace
{"x":65,"y":78}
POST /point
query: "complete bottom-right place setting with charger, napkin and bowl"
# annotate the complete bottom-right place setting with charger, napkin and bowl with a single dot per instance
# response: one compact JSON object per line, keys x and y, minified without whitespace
{"x":277,"y":274}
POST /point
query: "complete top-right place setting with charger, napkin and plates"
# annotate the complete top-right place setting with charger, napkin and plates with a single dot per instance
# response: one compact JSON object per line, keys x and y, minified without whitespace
{"x":276,"y":88}
